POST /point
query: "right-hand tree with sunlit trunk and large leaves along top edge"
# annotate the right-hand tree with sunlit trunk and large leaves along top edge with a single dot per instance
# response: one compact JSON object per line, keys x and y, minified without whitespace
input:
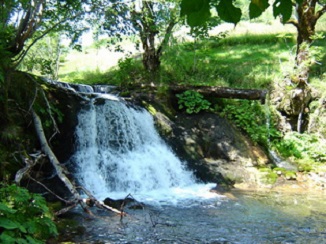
{"x":305,"y":14}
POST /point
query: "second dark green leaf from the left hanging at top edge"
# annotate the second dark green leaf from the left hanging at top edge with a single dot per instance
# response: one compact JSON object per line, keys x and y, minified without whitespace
{"x":228,"y":12}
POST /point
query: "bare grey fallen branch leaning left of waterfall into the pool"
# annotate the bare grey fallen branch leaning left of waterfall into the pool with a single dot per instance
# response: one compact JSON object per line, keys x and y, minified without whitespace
{"x":77,"y":199}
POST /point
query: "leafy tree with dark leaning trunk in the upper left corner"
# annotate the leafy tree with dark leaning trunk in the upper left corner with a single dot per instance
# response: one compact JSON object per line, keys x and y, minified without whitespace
{"x":24,"y":22}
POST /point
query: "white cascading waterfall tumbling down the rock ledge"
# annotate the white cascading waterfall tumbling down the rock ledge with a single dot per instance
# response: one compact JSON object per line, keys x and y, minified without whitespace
{"x":119,"y":152}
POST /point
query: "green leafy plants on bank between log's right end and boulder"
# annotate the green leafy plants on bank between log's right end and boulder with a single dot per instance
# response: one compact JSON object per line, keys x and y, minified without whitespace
{"x":251,"y":117}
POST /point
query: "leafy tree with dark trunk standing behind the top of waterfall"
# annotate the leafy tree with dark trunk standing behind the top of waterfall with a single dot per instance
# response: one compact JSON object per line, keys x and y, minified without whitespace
{"x":152,"y":21}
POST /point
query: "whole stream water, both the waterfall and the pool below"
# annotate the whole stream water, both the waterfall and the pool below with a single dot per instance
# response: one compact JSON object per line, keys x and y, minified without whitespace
{"x":118,"y":152}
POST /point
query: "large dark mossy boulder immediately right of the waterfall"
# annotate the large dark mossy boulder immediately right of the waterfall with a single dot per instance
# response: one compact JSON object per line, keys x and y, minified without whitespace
{"x":213,"y":148}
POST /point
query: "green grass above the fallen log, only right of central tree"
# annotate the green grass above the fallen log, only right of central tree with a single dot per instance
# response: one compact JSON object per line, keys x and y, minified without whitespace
{"x":248,"y":61}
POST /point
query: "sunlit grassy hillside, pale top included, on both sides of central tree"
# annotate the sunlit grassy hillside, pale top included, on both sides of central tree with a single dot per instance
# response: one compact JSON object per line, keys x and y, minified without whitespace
{"x":251,"y":56}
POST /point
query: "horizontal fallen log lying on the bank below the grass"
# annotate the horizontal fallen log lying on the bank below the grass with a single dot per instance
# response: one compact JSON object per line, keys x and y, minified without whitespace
{"x":224,"y":92}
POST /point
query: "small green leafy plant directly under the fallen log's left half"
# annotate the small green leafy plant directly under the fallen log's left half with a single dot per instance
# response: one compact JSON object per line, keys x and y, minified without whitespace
{"x":192,"y":101}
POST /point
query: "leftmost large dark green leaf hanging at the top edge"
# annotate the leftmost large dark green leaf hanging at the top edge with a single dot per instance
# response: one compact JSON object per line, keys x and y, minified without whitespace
{"x":197,"y":11}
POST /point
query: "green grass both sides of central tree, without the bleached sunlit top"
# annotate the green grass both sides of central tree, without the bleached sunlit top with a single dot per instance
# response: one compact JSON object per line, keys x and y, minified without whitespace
{"x":242,"y":61}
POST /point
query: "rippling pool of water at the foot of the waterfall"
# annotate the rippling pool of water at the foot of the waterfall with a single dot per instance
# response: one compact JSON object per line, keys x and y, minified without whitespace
{"x":249,"y":217}
